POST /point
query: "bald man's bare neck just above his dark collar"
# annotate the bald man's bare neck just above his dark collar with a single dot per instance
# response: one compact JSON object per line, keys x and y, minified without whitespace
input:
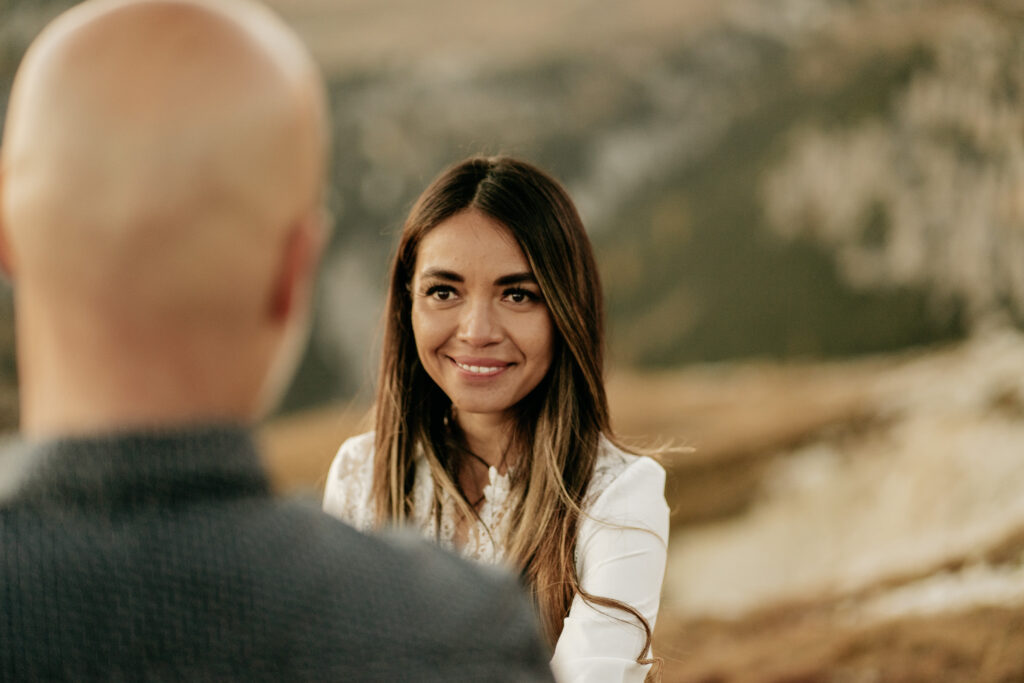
{"x":76,"y":381}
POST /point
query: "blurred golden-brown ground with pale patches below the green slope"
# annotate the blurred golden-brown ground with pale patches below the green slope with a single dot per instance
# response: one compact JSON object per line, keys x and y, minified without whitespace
{"x":849,"y":522}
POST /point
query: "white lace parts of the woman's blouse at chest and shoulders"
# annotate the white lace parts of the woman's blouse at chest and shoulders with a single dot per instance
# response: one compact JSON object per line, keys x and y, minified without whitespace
{"x":350,"y":491}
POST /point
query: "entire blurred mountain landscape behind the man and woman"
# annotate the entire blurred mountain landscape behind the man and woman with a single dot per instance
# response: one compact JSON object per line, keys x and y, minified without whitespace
{"x":809,"y":218}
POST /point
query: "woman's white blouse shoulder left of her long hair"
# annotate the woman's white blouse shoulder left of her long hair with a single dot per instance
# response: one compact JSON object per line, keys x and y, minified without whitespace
{"x":350,"y":483}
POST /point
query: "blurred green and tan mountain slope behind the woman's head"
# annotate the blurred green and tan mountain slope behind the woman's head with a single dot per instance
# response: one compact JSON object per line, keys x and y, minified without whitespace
{"x":716,"y":150}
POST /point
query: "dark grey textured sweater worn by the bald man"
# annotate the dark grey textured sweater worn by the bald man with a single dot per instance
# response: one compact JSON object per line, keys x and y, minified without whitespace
{"x":163,"y":557}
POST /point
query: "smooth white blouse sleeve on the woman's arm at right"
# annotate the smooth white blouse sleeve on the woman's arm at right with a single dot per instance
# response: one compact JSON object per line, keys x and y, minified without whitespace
{"x":622,"y":550}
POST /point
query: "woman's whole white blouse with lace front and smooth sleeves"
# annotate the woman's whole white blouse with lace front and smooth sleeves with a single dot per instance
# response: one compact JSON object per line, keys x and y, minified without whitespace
{"x":621,"y":549}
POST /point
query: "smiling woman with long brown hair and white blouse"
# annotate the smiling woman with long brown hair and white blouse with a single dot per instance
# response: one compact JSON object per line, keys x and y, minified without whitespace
{"x":492,"y":424}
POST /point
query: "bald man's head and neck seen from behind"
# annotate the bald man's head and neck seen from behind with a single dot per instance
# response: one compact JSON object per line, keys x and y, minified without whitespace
{"x":161,"y":177}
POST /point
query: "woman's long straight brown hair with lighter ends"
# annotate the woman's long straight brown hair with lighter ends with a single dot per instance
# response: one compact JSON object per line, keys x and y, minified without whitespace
{"x":560,"y":425}
